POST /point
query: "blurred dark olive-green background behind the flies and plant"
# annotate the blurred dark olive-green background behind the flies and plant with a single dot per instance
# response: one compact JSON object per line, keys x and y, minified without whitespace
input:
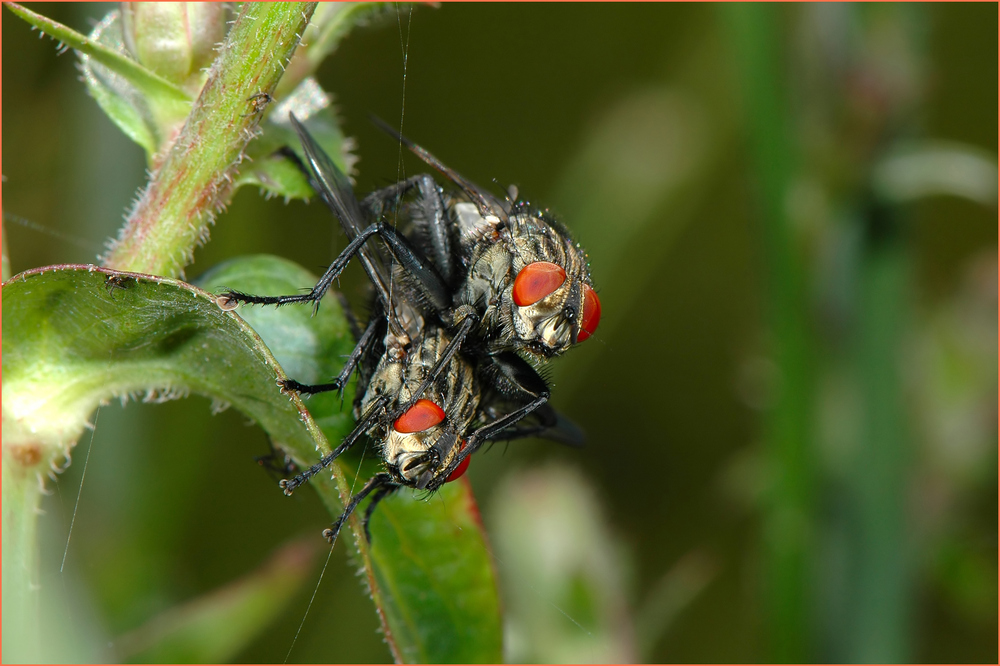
{"x":791,"y":401}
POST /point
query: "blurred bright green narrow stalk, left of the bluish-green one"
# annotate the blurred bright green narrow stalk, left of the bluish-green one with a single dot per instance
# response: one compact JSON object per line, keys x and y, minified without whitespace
{"x":788,"y":431}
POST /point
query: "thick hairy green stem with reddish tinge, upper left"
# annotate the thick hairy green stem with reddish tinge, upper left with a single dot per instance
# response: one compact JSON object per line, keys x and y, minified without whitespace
{"x":195,"y":178}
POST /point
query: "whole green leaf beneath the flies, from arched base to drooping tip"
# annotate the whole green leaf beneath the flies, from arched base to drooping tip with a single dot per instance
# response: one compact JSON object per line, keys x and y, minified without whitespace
{"x":78,"y":335}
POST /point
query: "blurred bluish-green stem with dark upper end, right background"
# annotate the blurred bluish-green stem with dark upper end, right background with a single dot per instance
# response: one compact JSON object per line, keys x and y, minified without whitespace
{"x":878,"y":627}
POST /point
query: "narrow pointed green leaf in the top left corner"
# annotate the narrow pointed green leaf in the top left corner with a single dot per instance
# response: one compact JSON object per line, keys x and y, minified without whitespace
{"x":152,"y":85}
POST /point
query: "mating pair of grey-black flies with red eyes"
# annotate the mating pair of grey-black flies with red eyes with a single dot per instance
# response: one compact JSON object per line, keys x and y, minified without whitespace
{"x":468,"y":288}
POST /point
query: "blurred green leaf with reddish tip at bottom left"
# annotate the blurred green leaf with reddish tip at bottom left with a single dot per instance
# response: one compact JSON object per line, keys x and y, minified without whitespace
{"x":215,"y":627}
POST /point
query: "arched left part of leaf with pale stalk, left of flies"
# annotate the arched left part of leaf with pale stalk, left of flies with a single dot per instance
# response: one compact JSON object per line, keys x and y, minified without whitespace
{"x":76,"y":336}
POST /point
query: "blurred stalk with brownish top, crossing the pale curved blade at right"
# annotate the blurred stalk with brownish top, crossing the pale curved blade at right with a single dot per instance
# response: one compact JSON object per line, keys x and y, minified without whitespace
{"x":879,"y":580}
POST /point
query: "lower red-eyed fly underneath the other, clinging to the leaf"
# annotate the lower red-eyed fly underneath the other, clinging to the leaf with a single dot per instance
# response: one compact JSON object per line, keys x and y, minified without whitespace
{"x":424,"y":401}
